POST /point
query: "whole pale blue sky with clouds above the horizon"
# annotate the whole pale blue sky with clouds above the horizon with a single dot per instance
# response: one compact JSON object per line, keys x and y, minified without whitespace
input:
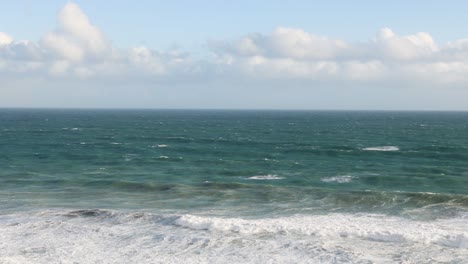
{"x":344,"y":55}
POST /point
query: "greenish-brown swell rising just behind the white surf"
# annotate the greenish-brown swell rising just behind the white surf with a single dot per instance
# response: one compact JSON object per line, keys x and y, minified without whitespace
{"x":236,"y":197}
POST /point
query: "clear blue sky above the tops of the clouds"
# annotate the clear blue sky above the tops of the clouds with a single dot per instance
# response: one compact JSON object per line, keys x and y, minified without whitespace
{"x":161,"y":24}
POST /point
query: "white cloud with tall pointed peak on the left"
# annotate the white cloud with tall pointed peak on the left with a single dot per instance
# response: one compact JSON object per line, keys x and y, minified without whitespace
{"x":77,"y":48}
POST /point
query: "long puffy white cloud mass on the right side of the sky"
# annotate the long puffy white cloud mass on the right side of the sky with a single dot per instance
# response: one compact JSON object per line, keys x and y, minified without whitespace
{"x":294,"y":53}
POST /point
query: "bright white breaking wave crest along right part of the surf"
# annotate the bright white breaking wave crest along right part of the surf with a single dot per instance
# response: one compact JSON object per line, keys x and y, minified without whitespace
{"x":370,"y":227}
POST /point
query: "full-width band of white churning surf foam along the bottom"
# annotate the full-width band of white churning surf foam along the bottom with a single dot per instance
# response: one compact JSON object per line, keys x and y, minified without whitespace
{"x":93,"y":236}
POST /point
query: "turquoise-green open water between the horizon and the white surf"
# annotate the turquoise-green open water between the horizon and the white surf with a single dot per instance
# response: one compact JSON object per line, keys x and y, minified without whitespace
{"x":205,"y":159}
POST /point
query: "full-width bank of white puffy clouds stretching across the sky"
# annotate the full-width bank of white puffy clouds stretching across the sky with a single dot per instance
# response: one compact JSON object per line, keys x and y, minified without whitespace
{"x":78,"y":50}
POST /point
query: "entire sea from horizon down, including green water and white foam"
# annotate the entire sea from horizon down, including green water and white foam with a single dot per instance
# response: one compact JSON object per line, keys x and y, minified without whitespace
{"x":180,"y":186}
